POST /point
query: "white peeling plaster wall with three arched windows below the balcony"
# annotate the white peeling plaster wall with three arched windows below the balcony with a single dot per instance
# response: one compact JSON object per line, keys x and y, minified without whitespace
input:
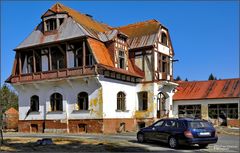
{"x":69,"y":91}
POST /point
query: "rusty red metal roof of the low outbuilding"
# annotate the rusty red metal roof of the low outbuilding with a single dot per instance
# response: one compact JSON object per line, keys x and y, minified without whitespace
{"x":212,"y":89}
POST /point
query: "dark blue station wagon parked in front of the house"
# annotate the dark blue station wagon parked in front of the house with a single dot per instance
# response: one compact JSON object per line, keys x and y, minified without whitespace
{"x":182,"y":131}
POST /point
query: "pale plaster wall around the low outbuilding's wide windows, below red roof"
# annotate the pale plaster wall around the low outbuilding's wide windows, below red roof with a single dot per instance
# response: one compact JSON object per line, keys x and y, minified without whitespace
{"x":204,"y":105}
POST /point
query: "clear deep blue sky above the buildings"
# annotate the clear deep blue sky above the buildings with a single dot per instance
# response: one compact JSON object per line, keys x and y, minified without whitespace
{"x":205,"y":35}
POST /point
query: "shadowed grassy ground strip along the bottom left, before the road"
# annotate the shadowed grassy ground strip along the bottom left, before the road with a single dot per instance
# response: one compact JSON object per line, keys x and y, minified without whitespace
{"x":68,"y":146}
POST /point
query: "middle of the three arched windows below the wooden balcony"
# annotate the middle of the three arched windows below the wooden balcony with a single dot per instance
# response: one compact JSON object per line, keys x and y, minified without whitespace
{"x":56,"y":101}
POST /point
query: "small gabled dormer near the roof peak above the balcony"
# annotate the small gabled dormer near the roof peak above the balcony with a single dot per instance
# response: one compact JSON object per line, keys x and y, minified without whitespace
{"x":53,"y":18}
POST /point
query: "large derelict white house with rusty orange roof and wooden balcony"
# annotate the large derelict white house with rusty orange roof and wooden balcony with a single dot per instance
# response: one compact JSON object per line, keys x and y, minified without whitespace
{"x":74,"y":74}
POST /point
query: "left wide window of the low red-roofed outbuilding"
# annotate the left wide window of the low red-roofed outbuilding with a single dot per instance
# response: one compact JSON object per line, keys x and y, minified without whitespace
{"x":191,"y":111}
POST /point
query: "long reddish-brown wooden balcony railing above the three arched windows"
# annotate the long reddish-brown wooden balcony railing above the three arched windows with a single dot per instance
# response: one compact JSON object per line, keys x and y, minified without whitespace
{"x":55,"y":74}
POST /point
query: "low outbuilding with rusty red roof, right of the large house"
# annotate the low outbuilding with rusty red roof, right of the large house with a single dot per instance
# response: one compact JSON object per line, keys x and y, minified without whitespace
{"x":215,"y":100}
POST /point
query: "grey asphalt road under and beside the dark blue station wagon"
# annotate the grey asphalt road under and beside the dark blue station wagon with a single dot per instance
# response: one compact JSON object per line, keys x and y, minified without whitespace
{"x":226,"y":143}
